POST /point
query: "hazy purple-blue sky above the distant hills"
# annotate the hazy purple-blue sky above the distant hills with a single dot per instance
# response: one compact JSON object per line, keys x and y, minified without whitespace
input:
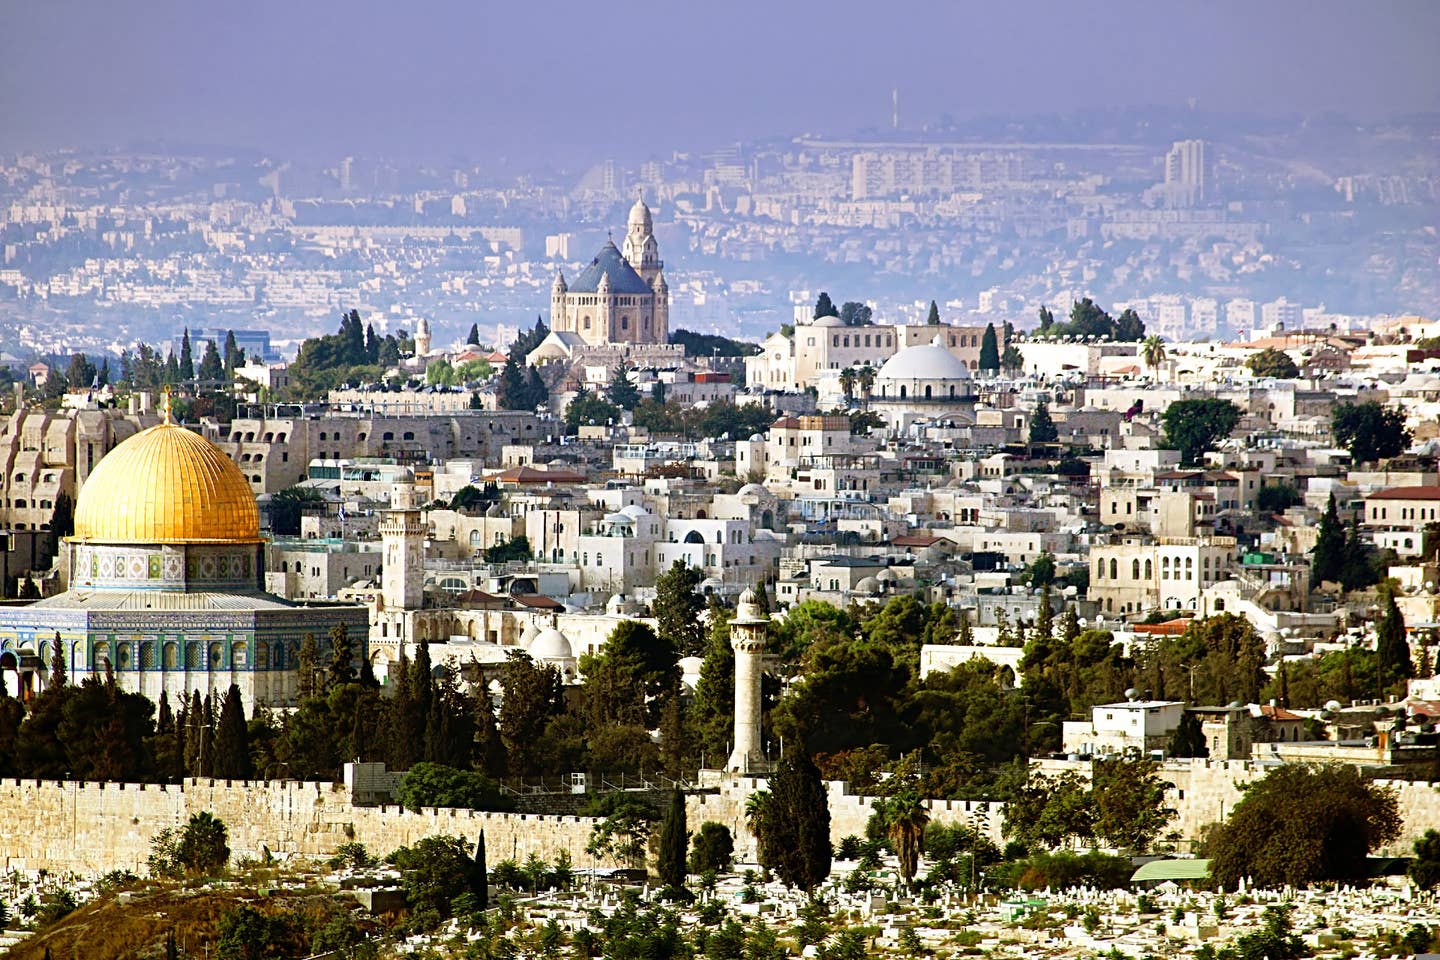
{"x":474,"y":78}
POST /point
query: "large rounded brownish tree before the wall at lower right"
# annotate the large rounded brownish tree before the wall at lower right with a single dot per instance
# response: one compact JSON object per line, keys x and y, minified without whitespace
{"x":1304,"y":825}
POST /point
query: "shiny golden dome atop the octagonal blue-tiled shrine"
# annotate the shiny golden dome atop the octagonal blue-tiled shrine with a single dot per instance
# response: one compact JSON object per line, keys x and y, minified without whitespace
{"x":168,"y":486}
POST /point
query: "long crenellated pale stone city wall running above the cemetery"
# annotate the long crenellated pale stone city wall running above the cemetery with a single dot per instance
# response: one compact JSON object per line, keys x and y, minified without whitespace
{"x":103,"y":827}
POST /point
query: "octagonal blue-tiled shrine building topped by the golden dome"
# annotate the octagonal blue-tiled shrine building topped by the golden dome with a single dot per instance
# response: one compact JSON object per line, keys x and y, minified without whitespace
{"x":166,"y":569}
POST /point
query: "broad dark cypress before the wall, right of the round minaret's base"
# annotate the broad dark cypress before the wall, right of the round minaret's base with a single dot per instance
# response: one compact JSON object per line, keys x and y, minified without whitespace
{"x":796,"y":837}
